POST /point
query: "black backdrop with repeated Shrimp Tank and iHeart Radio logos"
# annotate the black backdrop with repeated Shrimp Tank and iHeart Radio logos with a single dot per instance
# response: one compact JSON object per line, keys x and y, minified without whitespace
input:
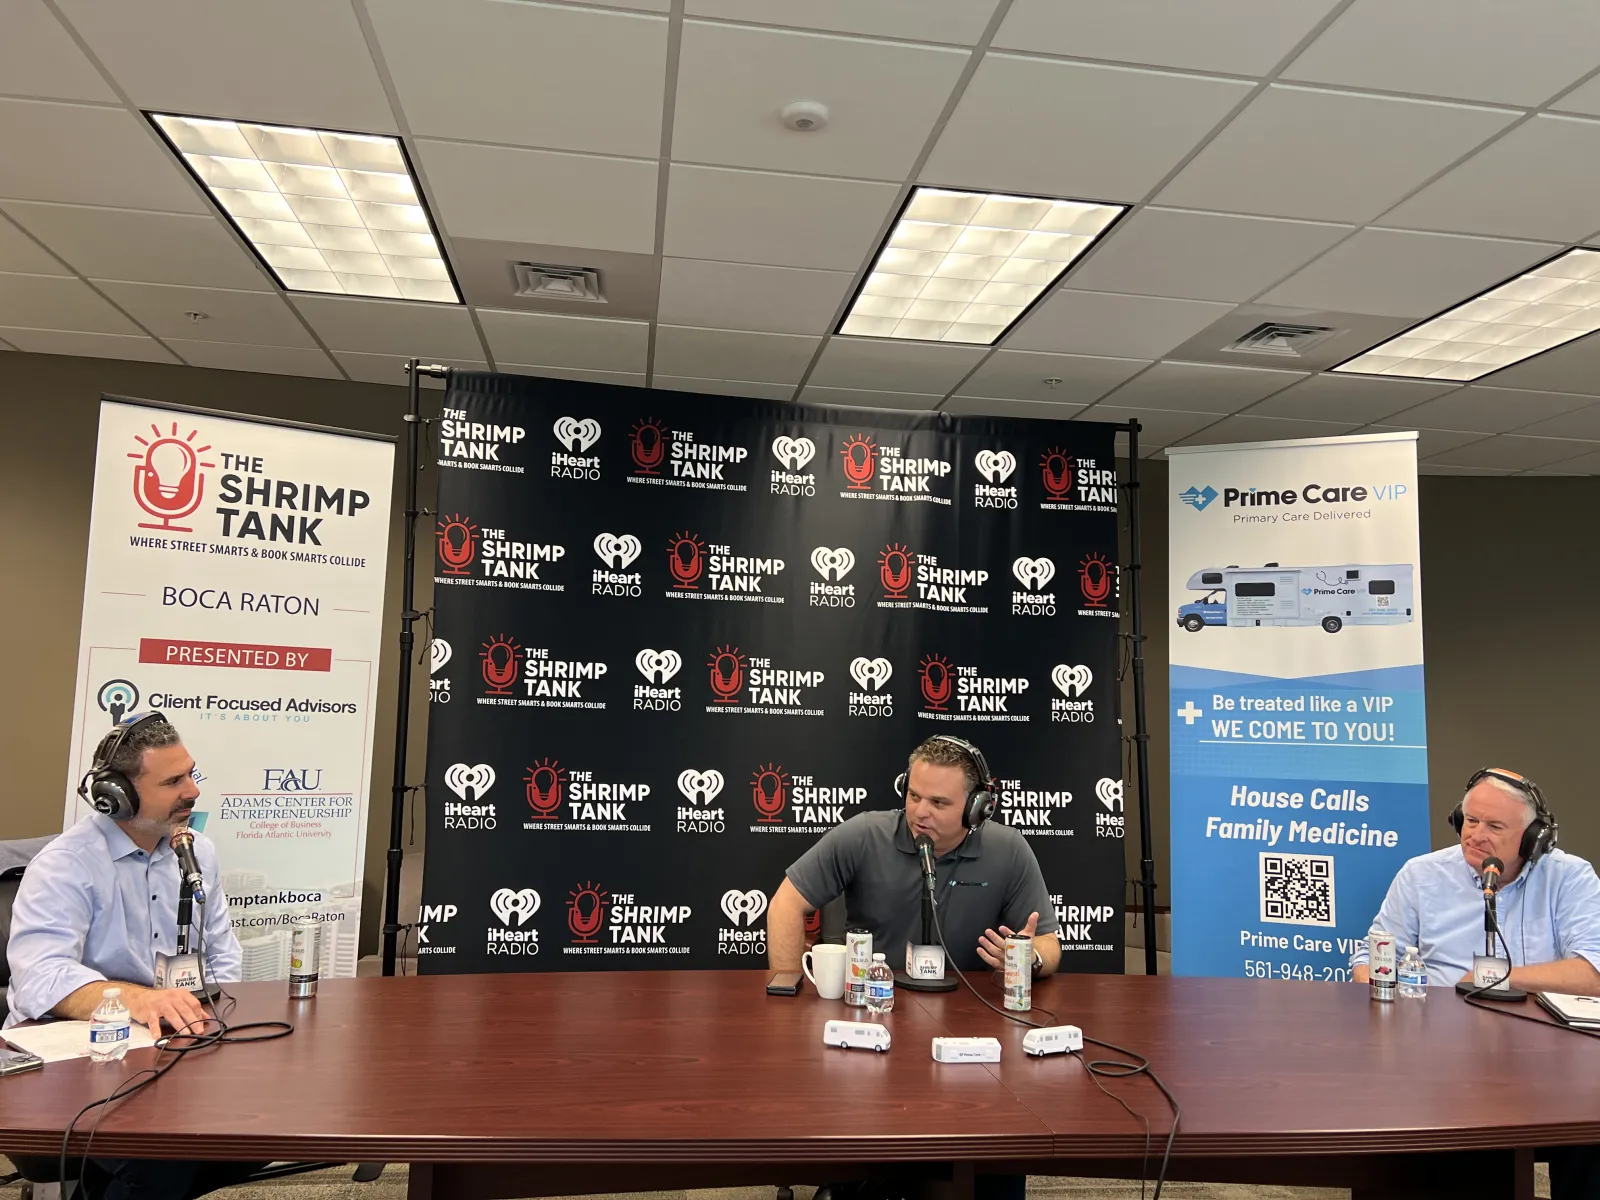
{"x":679,"y":638}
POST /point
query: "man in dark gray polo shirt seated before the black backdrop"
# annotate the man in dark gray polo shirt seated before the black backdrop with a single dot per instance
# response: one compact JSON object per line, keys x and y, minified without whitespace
{"x":988,"y":879}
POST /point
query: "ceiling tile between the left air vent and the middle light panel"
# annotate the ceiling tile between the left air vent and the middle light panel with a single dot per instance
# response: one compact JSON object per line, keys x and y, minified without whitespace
{"x":746,"y":297}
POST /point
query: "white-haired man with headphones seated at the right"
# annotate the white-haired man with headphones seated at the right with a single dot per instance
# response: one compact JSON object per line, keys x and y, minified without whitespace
{"x":1550,"y":902}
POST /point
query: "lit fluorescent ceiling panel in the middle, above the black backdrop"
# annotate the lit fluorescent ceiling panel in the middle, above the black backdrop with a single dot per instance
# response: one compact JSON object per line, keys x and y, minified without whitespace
{"x":966,"y":266}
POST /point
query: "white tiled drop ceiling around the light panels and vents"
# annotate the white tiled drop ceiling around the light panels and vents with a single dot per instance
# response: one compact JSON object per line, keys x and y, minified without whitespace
{"x":1350,"y":164}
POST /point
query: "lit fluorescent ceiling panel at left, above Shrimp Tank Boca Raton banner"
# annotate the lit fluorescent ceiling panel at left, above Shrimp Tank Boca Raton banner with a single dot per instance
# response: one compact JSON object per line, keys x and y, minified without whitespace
{"x":327,"y":212}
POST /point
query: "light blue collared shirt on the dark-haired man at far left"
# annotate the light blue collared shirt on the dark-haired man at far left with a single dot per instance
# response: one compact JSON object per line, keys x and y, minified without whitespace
{"x":94,"y":906}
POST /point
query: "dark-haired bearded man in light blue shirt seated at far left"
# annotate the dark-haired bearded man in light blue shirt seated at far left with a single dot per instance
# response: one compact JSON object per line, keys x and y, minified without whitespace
{"x":102,"y":902}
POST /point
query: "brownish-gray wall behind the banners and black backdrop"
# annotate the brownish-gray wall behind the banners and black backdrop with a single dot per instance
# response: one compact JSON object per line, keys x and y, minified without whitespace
{"x":1511,"y":582}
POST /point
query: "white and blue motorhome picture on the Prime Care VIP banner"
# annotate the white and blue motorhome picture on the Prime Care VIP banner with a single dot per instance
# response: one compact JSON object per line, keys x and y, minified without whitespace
{"x":1300,"y":596}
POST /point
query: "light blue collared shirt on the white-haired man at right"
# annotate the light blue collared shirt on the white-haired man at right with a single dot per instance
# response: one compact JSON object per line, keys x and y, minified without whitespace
{"x":1550,"y":913}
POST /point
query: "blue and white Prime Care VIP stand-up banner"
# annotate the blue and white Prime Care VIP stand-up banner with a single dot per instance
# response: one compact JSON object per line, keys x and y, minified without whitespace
{"x":1300,"y":743}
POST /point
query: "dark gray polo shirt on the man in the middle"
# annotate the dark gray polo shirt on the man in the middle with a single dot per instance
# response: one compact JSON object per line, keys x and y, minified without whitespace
{"x":990,"y":881}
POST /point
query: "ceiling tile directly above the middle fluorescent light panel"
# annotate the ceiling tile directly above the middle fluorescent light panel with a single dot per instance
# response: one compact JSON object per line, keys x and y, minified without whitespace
{"x":1009,"y":129}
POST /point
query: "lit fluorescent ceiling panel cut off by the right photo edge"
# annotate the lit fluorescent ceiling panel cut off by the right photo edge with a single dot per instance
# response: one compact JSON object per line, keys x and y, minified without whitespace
{"x":1532,"y":314}
